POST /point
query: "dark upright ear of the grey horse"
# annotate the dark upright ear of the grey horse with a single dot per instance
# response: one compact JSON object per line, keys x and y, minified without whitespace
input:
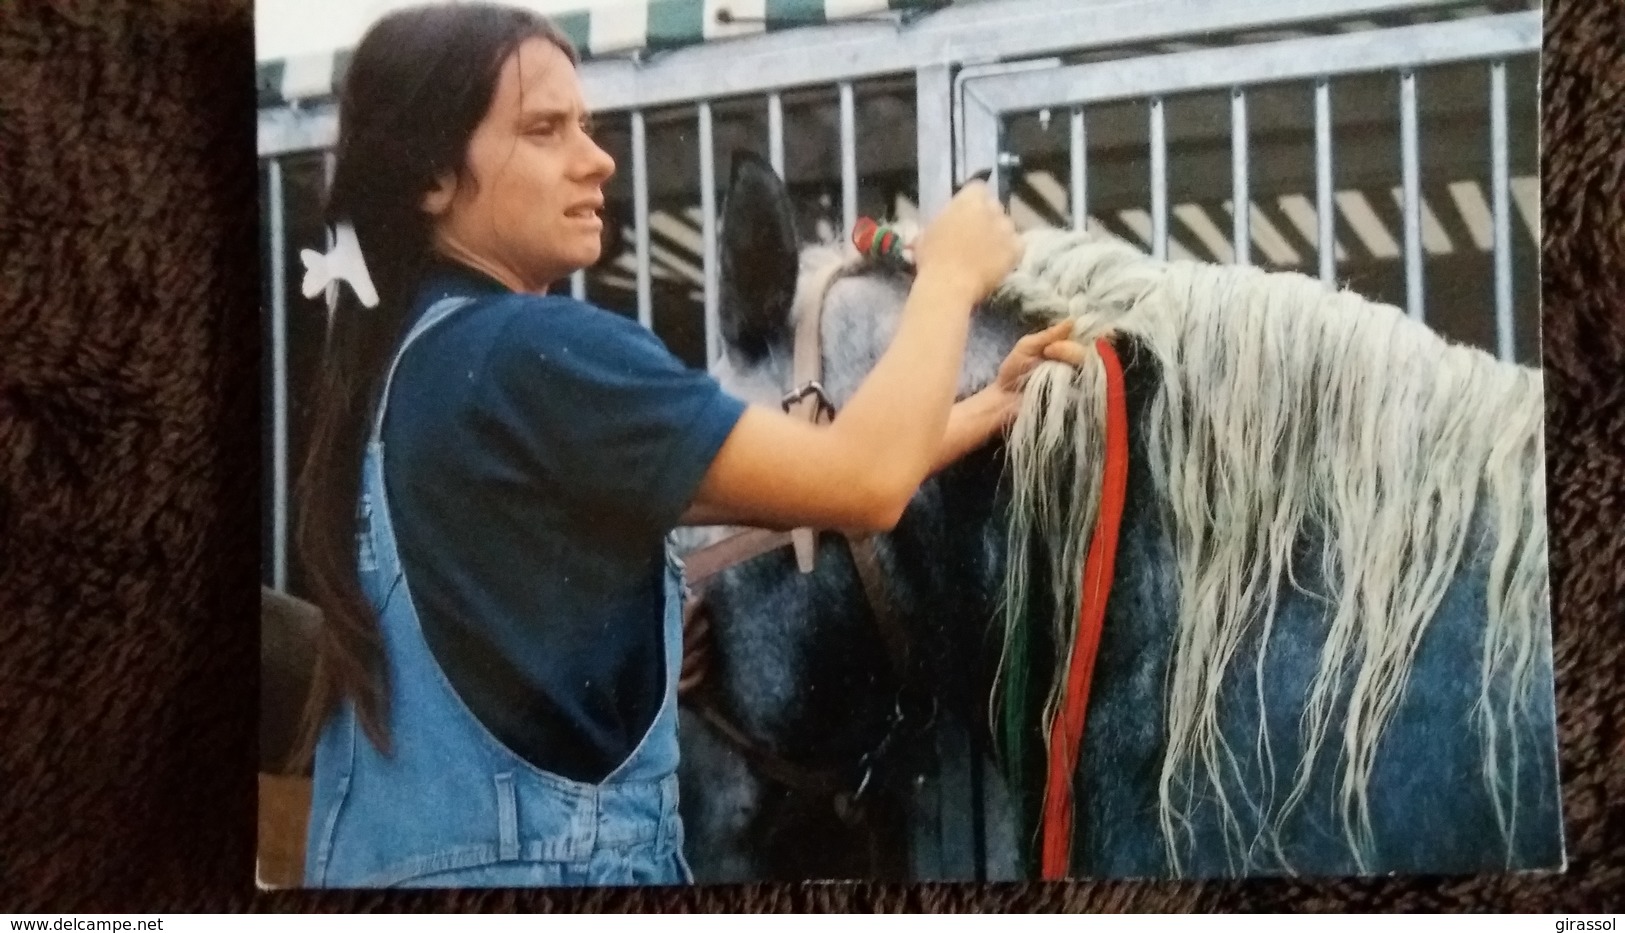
{"x":760,"y":258}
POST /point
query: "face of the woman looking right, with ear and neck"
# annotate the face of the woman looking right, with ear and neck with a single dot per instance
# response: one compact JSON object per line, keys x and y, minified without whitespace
{"x":529,"y":210}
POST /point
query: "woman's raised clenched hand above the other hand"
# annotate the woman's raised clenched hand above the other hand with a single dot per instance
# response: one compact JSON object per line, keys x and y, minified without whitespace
{"x":973,"y":243}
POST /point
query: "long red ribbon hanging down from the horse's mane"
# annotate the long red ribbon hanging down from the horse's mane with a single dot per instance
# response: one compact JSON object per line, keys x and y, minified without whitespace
{"x":1067,"y":732}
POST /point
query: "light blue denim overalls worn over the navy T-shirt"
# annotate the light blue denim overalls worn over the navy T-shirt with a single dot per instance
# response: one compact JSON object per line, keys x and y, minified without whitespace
{"x":454,"y":807}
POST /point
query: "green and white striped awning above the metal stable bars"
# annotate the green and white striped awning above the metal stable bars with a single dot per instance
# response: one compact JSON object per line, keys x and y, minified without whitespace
{"x":617,"y":28}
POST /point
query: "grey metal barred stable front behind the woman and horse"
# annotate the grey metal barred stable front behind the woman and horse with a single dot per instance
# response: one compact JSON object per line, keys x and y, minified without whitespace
{"x":1380,"y":144}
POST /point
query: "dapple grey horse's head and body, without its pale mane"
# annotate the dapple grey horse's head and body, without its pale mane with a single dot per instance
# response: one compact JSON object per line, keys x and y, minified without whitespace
{"x":799,"y":669}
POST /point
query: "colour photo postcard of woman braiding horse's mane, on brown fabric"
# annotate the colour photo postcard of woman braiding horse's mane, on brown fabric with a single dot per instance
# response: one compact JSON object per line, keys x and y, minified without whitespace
{"x":716,"y":441}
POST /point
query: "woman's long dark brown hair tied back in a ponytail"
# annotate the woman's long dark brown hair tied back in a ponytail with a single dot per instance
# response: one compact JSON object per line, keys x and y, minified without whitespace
{"x":418,"y":85}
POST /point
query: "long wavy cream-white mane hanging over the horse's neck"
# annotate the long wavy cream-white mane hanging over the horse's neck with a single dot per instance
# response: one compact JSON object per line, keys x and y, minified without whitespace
{"x":1286,"y":407}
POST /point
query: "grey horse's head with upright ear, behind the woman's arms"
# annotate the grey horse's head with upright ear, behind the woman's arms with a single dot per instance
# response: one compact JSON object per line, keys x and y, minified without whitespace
{"x":800,"y":662}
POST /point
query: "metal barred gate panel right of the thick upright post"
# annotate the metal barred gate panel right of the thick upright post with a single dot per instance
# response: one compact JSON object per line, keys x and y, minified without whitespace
{"x":1395,"y":54}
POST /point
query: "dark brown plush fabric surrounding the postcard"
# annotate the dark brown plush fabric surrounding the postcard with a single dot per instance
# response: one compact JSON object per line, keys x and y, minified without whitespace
{"x":129,"y":500}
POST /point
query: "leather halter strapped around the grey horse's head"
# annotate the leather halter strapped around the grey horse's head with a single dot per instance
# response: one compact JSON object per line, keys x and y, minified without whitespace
{"x":807,"y":399}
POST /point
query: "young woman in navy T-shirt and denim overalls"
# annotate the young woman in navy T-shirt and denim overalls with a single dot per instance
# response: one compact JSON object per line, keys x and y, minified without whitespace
{"x":495,"y":475}
